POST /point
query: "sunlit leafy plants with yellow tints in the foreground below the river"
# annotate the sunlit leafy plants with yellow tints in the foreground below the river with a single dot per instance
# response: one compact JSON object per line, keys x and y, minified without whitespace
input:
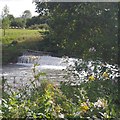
{"x":95,"y":98}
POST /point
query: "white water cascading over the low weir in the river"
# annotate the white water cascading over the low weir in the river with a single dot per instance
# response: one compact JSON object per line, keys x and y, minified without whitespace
{"x":44,"y":62}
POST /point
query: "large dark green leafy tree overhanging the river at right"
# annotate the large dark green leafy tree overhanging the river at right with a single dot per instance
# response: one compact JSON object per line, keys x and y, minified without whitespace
{"x":84,"y":30}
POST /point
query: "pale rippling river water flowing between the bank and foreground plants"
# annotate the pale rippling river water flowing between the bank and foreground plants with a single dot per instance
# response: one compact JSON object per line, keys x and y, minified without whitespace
{"x":21,"y":72}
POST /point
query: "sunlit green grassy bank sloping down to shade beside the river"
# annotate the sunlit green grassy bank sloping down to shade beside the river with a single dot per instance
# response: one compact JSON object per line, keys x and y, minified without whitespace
{"x":16,"y":41}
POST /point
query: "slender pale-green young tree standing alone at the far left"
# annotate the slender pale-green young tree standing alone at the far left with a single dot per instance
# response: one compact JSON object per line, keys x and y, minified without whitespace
{"x":5,"y":19}
